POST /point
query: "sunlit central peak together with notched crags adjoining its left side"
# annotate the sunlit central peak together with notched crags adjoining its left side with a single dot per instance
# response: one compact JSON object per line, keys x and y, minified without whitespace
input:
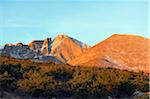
{"x":63,"y":47}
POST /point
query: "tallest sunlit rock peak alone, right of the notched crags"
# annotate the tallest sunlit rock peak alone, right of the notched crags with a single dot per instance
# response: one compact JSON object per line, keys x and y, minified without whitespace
{"x":66,"y":48}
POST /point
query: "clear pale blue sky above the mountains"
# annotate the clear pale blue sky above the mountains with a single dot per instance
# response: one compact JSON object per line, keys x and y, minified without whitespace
{"x":90,"y":21}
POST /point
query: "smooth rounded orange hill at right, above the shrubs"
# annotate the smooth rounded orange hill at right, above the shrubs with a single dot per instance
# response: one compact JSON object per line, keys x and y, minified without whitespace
{"x":118,"y":51}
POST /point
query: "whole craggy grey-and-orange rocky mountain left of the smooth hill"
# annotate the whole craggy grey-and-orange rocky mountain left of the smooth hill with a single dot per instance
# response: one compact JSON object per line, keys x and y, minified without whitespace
{"x":60,"y":50}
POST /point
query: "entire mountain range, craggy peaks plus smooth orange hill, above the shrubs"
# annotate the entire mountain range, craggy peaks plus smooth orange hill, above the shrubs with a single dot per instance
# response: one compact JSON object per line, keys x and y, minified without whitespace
{"x":121,"y":51}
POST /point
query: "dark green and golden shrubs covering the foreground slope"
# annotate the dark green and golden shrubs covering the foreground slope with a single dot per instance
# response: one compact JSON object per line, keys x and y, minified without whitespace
{"x":39,"y":79}
